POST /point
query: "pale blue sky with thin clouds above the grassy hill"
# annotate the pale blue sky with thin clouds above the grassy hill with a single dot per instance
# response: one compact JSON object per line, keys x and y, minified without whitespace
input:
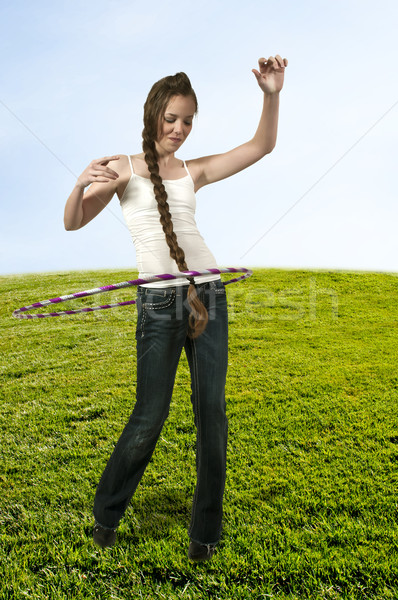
{"x":75,"y":76}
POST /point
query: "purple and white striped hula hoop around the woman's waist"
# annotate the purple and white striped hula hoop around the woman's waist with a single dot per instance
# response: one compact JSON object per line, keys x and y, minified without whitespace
{"x":116,"y":286}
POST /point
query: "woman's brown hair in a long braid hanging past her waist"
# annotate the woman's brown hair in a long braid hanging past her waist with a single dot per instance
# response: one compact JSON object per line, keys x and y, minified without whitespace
{"x":154,"y":108}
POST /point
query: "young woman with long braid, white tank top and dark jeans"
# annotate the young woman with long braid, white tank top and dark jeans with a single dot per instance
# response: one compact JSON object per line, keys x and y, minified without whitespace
{"x":157,"y":195}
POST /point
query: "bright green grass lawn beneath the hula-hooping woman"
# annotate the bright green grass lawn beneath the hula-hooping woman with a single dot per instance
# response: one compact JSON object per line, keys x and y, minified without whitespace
{"x":311,"y":494}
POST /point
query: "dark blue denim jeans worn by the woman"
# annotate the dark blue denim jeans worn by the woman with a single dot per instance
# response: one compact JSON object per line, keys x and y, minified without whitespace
{"x":161,"y":334}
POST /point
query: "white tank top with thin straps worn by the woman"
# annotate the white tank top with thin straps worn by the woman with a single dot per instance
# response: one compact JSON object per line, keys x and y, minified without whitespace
{"x":140,"y":211}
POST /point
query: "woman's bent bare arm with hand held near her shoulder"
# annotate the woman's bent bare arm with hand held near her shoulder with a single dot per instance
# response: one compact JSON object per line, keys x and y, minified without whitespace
{"x":82,"y":207}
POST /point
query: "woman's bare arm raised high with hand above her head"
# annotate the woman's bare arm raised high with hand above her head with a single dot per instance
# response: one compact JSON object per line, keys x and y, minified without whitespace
{"x":213,"y":168}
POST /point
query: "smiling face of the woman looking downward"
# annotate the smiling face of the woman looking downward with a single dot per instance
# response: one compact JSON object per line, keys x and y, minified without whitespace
{"x":177,"y":123}
